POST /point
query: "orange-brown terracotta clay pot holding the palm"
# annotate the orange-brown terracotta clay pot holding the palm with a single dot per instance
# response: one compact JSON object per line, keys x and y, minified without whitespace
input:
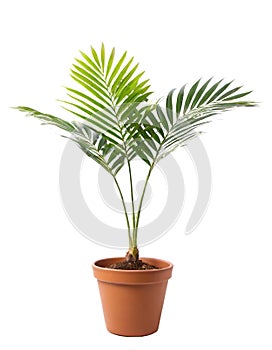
{"x":132,"y":300}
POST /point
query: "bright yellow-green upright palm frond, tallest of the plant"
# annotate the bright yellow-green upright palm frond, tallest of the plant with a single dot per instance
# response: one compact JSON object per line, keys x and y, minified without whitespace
{"x":109,"y":87}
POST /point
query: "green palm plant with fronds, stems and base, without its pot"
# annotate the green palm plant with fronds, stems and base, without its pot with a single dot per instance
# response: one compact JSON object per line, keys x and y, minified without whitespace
{"x":115,"y":122}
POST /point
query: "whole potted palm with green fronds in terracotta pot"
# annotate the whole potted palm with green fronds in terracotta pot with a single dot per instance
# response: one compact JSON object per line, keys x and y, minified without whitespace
{"x":115,"y":123}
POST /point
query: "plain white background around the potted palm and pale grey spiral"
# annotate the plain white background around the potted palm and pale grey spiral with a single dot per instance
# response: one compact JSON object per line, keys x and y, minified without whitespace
{"x":220,"y":293}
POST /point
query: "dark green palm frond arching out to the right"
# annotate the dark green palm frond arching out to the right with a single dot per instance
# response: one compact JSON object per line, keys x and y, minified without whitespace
{"x":192,"y":107}
